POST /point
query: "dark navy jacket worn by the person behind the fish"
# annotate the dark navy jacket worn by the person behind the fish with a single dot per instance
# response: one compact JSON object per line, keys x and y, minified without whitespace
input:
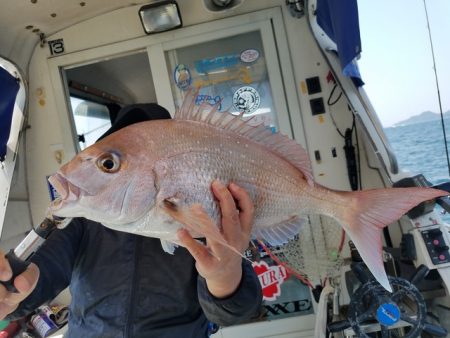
{"x":124,"y":285}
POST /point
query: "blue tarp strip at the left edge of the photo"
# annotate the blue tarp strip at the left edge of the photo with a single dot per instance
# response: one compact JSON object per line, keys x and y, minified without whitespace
{"x":9,"y":87}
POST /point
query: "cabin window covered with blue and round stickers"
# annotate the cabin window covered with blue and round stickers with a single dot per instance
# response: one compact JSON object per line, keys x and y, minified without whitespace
{"x":231,"y":72}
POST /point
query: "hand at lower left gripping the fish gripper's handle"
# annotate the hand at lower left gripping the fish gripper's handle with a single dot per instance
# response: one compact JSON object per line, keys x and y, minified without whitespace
{"x":24,"y":283}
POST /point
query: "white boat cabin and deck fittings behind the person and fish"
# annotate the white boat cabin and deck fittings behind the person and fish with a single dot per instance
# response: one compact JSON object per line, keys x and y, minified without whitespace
{"x":69,"y":68}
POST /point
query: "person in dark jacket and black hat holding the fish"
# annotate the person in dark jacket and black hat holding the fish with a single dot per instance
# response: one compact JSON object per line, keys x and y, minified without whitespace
{"x":126,"y":285}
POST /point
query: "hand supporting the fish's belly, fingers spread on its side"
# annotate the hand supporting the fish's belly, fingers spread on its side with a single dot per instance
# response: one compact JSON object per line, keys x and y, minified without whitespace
{"x":219,"y":265}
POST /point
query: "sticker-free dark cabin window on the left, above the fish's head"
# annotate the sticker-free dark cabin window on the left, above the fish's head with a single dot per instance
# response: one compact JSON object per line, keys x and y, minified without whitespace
{"x":98,"y":90}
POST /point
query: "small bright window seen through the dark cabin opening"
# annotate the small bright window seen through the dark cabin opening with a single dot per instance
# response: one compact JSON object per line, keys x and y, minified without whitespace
{"x":91,"y":120}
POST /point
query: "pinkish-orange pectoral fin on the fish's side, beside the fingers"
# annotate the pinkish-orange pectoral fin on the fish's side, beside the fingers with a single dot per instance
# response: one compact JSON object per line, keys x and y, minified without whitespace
{"x":196,"y":220}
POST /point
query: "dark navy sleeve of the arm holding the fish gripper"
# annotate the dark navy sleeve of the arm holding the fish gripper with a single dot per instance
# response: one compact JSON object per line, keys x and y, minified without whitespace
{"x":55,"y":259}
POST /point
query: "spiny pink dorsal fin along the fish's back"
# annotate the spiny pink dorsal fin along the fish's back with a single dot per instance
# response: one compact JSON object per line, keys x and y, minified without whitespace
{"x":278,"y":143}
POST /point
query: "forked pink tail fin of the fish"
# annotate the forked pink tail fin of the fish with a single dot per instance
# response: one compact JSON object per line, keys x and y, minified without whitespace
{"x":370,"y":211}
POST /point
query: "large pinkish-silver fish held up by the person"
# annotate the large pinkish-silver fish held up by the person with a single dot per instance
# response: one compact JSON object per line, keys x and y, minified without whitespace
{"x":151,"y":178}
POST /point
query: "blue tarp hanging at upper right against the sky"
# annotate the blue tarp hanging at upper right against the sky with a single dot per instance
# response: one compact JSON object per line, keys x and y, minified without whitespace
{"x":339,"y":20}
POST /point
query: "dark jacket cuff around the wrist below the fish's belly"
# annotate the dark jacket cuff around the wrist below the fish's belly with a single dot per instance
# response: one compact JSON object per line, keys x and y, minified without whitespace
{"x":242,"y":305}
